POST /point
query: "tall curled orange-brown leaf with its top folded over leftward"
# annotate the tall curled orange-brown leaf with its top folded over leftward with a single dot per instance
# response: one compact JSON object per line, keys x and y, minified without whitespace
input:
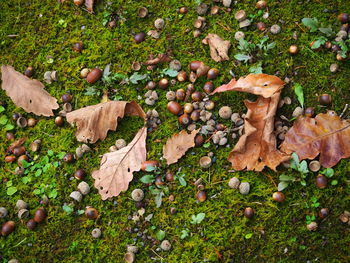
{"x":256,"y":148}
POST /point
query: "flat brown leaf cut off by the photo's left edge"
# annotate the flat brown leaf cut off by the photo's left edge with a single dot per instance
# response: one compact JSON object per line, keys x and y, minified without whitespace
{"x":27,"y":93}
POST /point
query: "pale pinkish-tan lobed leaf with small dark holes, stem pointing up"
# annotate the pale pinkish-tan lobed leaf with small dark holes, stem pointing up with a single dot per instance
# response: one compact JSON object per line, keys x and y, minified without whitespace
{"x":116,"y":169}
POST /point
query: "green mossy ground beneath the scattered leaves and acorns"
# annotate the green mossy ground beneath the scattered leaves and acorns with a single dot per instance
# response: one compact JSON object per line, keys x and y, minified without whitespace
{"x":279,"y":230}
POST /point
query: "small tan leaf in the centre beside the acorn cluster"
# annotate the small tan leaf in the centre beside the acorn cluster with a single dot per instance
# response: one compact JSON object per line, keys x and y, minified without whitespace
{"x":177,"y":145}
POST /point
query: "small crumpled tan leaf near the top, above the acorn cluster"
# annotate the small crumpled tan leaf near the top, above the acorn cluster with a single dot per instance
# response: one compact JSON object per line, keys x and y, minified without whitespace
{"x":218,"y":47}
